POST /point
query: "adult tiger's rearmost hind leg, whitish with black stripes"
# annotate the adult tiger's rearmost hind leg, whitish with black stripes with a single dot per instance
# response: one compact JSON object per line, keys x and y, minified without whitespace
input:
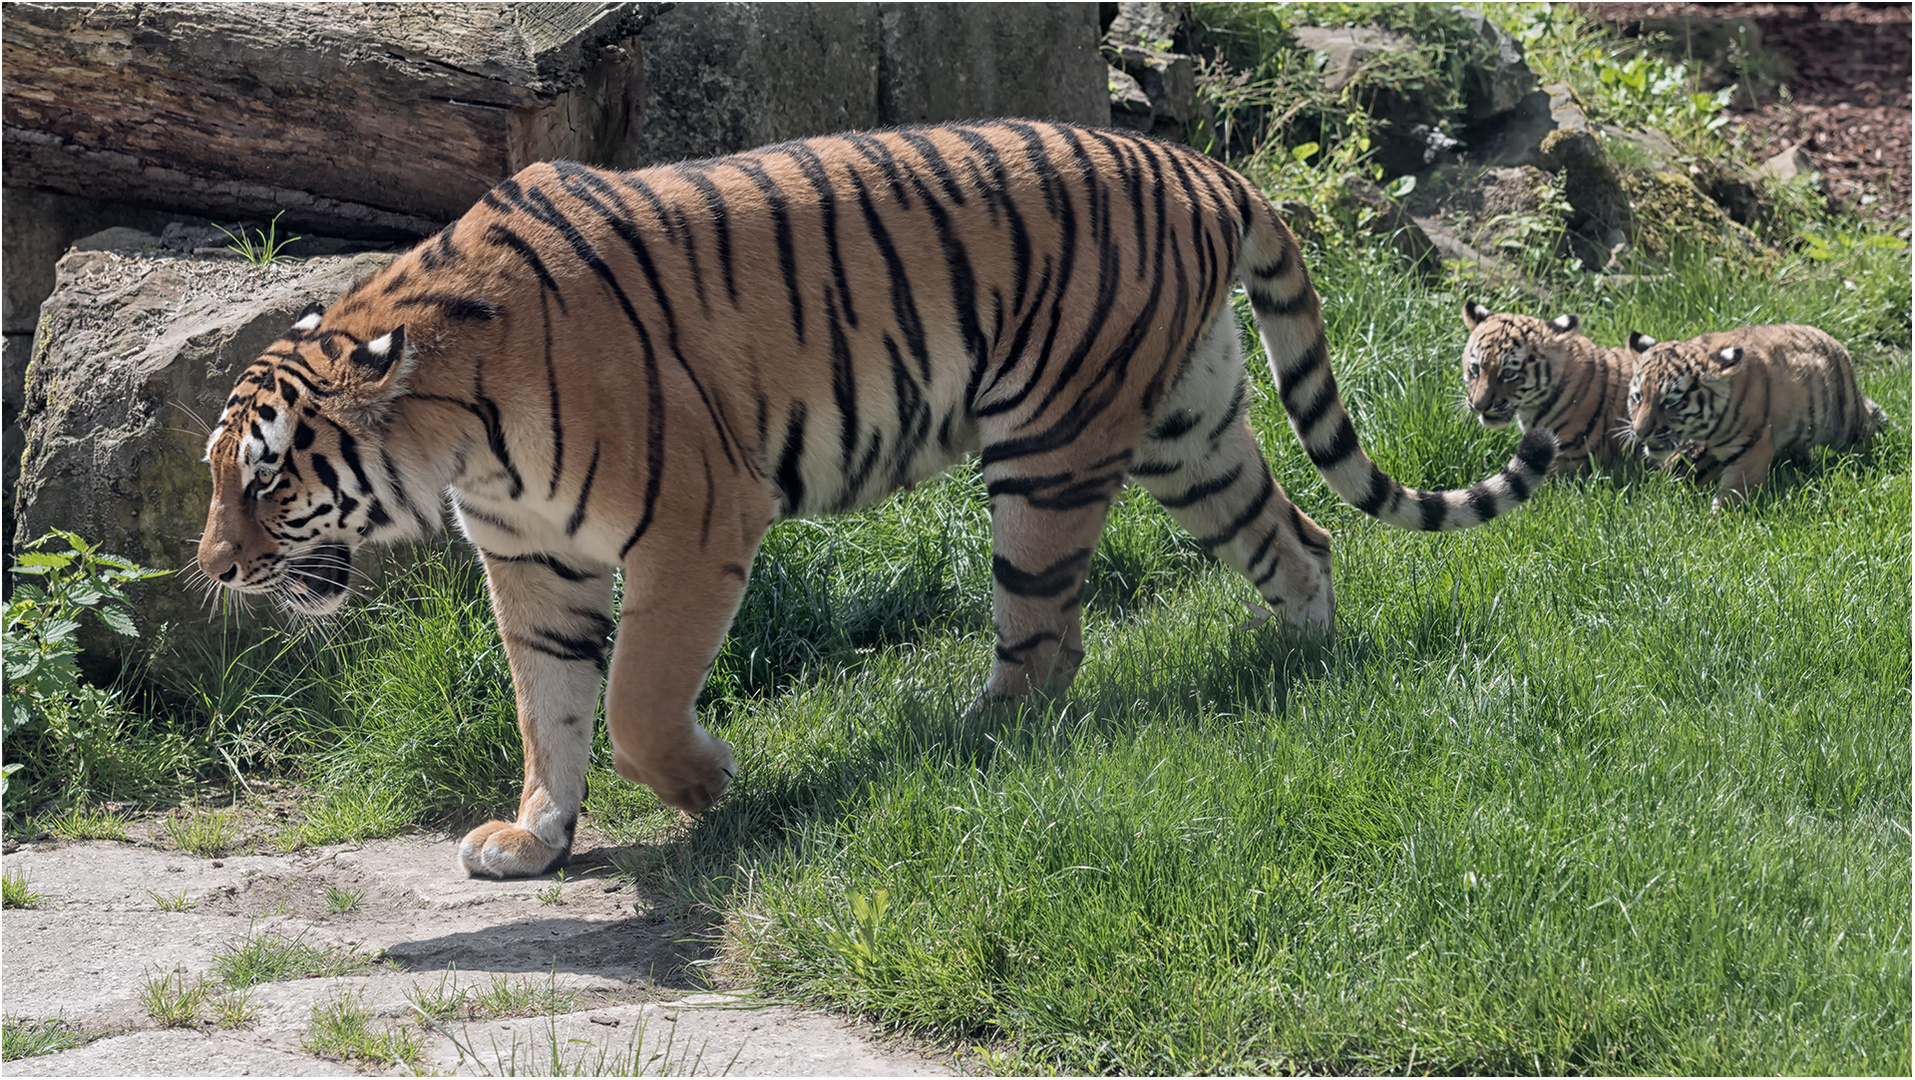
{"x":1204,"y":464}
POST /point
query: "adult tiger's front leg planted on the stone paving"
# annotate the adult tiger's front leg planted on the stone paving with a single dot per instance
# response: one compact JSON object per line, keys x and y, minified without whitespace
{"x":554,"y":618}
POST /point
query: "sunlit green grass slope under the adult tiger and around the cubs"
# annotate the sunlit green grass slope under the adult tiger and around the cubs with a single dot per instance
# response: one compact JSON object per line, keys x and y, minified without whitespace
{"x":1613,"y":786}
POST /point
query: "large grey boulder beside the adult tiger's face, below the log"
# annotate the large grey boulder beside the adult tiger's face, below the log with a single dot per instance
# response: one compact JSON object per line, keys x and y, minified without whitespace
{"x":133,"y":363}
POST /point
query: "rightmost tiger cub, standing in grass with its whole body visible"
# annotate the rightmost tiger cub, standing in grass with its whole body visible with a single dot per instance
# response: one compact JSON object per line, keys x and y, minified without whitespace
{"x":1744,"y":397}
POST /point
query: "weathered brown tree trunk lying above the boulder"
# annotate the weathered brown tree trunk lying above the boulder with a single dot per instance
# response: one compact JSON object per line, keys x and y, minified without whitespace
{"x":353,"y":120}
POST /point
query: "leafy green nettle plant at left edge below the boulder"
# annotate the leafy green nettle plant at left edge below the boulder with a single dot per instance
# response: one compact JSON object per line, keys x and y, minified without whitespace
{"x":55,"y":725}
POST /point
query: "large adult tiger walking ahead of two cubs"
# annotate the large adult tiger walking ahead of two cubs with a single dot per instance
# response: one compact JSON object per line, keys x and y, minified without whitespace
{"x":646,"y":369}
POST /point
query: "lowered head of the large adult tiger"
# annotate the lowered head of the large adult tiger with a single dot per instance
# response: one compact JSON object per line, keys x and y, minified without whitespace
{"x":300,"y":478}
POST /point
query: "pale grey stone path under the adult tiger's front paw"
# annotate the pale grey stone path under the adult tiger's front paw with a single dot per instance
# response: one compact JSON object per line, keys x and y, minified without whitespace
{"x":625,"y":979}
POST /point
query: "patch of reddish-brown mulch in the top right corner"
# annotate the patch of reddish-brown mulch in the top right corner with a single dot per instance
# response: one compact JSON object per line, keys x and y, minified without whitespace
{"x":1847,"y":102}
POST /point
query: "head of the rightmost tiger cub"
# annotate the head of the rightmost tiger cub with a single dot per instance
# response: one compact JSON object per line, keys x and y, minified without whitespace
{"x":1680,"y":392}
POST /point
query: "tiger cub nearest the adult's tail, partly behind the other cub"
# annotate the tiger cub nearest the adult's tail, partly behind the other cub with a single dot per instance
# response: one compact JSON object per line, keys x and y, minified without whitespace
{"x":1546,"y":376}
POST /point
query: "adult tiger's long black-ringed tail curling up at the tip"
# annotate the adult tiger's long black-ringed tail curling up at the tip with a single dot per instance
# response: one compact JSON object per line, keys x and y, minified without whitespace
{"x":1292,"y":326}
